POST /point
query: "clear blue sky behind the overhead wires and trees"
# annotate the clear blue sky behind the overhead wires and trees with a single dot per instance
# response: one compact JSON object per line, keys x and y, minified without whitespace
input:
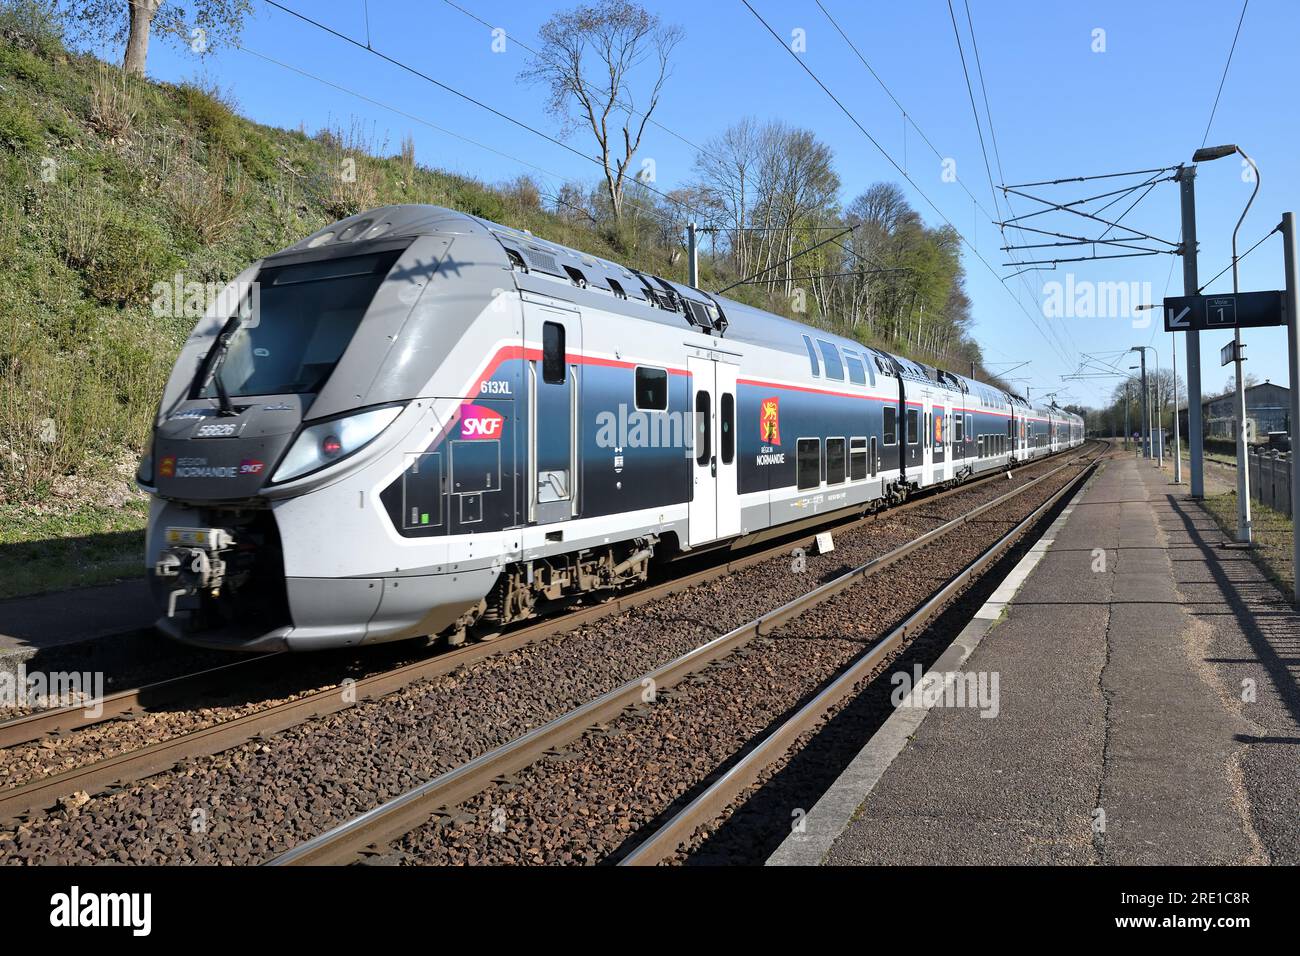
{"x":1060,"y":110}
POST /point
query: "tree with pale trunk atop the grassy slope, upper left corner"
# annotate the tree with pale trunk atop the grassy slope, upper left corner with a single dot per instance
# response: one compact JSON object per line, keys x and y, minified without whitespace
{"x":202,"y":25}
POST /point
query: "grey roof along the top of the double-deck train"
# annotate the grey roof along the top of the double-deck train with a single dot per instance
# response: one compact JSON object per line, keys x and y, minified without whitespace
{"x":638,"y":293}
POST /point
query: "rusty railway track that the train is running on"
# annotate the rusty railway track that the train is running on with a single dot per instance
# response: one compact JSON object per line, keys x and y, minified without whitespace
{"x":44,"y":793}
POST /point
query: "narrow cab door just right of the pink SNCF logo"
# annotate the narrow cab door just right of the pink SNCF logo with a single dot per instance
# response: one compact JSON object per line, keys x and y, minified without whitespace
{"x":554,"y":341}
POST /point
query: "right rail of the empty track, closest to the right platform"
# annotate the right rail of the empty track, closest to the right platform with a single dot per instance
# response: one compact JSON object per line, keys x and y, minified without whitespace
{"x":723,"y":791}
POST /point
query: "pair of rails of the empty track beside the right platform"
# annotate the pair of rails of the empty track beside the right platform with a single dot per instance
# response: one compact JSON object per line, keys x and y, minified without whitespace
{"x":374,"y":833}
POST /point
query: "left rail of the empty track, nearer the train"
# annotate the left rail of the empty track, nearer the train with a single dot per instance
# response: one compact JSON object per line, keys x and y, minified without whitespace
{"x":350,"y":841}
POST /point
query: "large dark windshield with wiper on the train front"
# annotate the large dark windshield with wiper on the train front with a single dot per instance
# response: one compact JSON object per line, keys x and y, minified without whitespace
{"x":302,"y":319}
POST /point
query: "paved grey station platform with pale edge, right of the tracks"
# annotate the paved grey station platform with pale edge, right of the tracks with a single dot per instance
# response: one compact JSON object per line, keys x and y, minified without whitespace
{"x":1147,"y":710}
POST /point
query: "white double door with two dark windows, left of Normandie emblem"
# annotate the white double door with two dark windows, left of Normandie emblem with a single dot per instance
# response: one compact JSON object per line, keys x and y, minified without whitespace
{"x":714,"y":509}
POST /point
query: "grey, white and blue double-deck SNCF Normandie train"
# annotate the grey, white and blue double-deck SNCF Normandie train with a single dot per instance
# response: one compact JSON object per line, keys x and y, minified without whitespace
{"x":418,"y":423}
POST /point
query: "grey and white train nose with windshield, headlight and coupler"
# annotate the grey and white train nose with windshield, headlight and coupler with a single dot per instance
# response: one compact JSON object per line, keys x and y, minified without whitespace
{"x":291,"y":409}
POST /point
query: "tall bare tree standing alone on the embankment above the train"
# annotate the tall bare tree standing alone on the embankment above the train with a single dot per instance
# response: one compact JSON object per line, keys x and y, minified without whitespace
{"x":616,"y":38}
